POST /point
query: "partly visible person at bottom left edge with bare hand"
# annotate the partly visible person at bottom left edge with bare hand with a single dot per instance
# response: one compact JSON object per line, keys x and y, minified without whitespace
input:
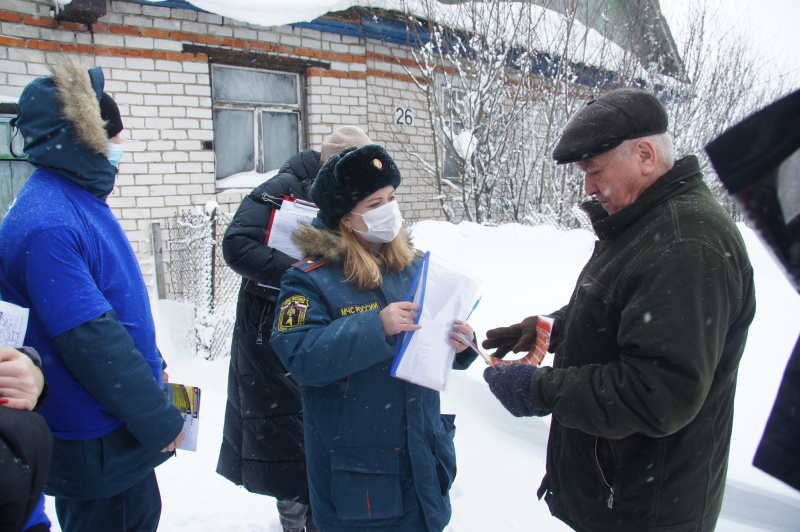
{"x":26,"y":445}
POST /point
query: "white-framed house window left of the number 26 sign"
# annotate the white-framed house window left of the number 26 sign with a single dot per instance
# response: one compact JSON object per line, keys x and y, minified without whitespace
{"x":257,"y":119}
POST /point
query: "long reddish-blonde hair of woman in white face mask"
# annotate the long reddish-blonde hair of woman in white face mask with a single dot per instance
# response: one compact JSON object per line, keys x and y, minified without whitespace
{"x":365,"y":268}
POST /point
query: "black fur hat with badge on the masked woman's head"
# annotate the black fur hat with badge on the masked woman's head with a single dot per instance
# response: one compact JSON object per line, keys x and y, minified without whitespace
{"x":349,"y":177}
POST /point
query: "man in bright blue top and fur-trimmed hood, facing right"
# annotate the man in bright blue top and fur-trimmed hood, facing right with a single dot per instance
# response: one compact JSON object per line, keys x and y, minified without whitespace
{"x":64,"y":256}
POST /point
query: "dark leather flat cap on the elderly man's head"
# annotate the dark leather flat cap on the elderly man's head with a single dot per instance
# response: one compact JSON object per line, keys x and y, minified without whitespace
{"x":606,"y":122}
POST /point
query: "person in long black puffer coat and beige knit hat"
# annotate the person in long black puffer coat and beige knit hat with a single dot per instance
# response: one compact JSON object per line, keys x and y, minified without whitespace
{"x":262,"y":446}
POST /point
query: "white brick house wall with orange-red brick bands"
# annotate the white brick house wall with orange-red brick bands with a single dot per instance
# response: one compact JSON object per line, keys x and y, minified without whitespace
{"x":164,"y":95}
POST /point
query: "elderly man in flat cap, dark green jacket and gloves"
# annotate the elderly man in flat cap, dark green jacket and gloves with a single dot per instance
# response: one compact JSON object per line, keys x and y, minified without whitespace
{"x":647,"y":349}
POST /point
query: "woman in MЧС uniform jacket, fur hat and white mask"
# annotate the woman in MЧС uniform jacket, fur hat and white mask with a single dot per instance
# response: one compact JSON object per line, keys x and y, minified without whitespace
{"x":380,"y":456}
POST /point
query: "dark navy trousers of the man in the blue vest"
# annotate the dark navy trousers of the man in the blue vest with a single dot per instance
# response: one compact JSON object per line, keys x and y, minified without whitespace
{"x":137,"y":509}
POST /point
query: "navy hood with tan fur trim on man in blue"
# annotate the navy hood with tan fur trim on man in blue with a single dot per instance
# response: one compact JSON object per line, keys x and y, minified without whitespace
{"x":59,"y":118}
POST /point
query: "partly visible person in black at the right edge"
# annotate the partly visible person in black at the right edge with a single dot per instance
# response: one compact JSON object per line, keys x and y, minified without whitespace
{"x":758,"y":161}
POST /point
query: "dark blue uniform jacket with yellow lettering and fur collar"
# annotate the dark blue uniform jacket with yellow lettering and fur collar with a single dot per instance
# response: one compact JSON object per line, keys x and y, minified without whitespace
{"x":379,"y":453}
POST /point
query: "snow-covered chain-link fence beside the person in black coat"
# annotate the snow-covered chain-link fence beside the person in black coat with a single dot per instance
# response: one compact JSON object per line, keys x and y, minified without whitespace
{"x":198,"y":275}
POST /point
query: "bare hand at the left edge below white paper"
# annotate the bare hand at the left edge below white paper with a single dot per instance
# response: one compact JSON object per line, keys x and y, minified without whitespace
{"x":21,"y":381}
